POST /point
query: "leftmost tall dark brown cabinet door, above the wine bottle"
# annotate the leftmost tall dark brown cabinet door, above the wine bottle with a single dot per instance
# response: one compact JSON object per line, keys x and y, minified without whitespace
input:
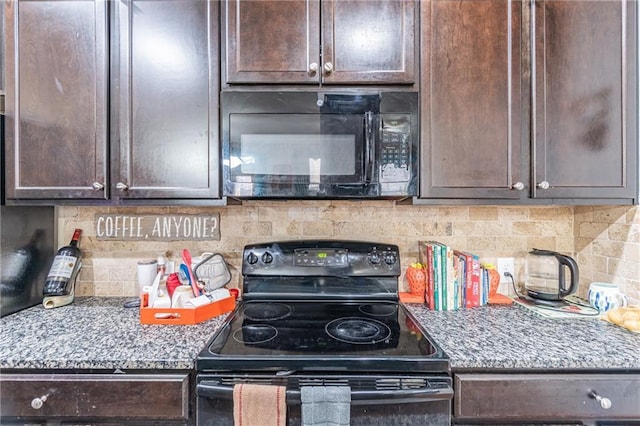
{"x":56,"y":122}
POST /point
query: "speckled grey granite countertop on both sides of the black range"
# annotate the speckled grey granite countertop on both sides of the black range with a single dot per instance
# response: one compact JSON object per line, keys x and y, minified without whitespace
{"x":99,"y":333}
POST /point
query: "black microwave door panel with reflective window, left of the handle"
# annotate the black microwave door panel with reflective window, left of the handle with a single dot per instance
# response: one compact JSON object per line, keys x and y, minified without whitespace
{"x":294,"y":154}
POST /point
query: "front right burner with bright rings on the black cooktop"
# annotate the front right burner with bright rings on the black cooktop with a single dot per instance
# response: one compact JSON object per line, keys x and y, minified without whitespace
{"x":358,"y":330}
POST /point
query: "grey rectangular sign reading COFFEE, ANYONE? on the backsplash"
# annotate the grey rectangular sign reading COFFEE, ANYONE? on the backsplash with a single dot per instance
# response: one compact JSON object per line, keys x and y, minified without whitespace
{"x":158,"y":227}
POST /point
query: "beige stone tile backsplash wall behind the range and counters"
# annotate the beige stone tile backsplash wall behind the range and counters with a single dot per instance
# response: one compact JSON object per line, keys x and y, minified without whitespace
{"x":605,"y":240}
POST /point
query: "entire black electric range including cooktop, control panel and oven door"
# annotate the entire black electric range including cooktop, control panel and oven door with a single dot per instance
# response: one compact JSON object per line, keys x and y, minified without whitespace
{"x":320,"y":314}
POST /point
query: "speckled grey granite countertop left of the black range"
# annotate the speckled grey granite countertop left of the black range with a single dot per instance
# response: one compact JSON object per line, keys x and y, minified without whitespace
{"x":98,"y":333}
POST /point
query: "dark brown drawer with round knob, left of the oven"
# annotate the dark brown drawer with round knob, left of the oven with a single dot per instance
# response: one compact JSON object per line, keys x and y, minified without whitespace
{"x":135,"y":396}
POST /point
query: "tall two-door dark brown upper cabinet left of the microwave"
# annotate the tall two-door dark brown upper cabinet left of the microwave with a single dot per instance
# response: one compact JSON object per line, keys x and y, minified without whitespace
{"x":115,"y":105}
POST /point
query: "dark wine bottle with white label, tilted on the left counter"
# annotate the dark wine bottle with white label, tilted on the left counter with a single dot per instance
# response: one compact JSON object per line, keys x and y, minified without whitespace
{"x":64,"y":268}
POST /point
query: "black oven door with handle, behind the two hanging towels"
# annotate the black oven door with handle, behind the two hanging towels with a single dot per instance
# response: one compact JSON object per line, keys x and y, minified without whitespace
{"x":375,"y":400}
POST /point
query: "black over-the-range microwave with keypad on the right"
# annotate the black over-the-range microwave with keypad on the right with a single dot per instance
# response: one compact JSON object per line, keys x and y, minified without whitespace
{"x":320,"y":144}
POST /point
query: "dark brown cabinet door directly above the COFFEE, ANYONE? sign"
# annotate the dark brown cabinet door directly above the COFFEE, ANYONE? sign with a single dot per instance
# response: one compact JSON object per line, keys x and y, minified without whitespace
{"x":166,"y":85}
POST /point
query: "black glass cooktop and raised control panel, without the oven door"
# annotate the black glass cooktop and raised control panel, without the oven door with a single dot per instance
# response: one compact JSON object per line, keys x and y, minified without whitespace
{"x":319,"y":306}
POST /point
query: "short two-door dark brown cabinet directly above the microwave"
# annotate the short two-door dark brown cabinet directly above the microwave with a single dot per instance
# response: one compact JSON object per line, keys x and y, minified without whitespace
{"x":319,"y":41}
